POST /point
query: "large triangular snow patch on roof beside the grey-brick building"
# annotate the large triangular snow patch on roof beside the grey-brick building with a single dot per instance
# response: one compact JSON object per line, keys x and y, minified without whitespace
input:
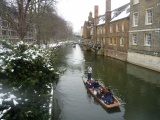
{"x":122,"y":15}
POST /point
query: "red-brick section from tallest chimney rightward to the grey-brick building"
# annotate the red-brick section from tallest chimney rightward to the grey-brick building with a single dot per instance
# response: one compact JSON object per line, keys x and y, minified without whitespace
{"x":117,"y":26}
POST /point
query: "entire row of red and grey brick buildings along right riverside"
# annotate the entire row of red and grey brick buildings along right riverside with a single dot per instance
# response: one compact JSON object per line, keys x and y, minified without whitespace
{"x":129,"y":33}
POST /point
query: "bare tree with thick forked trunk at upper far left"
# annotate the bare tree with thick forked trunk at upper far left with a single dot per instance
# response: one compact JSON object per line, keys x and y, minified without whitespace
{"x":15,"y":12}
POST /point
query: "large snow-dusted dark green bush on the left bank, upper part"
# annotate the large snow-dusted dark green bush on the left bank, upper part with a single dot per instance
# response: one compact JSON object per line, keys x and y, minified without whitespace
{"x":22,"y":62}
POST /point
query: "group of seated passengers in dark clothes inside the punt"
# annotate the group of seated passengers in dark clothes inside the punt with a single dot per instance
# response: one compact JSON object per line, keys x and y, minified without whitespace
{"x":102,"y":93}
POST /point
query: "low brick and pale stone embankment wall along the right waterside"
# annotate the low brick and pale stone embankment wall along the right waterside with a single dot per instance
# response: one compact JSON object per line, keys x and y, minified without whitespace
{"x":142,"y":60}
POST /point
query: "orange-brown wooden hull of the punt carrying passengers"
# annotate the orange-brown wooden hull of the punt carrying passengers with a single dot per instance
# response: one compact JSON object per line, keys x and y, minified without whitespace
{"x":115,"y":102}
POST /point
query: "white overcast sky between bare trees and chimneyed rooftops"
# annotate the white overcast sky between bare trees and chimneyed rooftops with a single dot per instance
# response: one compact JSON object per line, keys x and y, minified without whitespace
{"x":77,"y":11}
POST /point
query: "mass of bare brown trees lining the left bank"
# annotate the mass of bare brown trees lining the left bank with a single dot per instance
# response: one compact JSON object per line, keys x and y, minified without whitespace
{"x":21,"y":14}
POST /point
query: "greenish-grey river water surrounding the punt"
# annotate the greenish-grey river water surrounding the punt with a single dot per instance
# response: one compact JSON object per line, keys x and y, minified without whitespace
{"x":137,"y":88}
